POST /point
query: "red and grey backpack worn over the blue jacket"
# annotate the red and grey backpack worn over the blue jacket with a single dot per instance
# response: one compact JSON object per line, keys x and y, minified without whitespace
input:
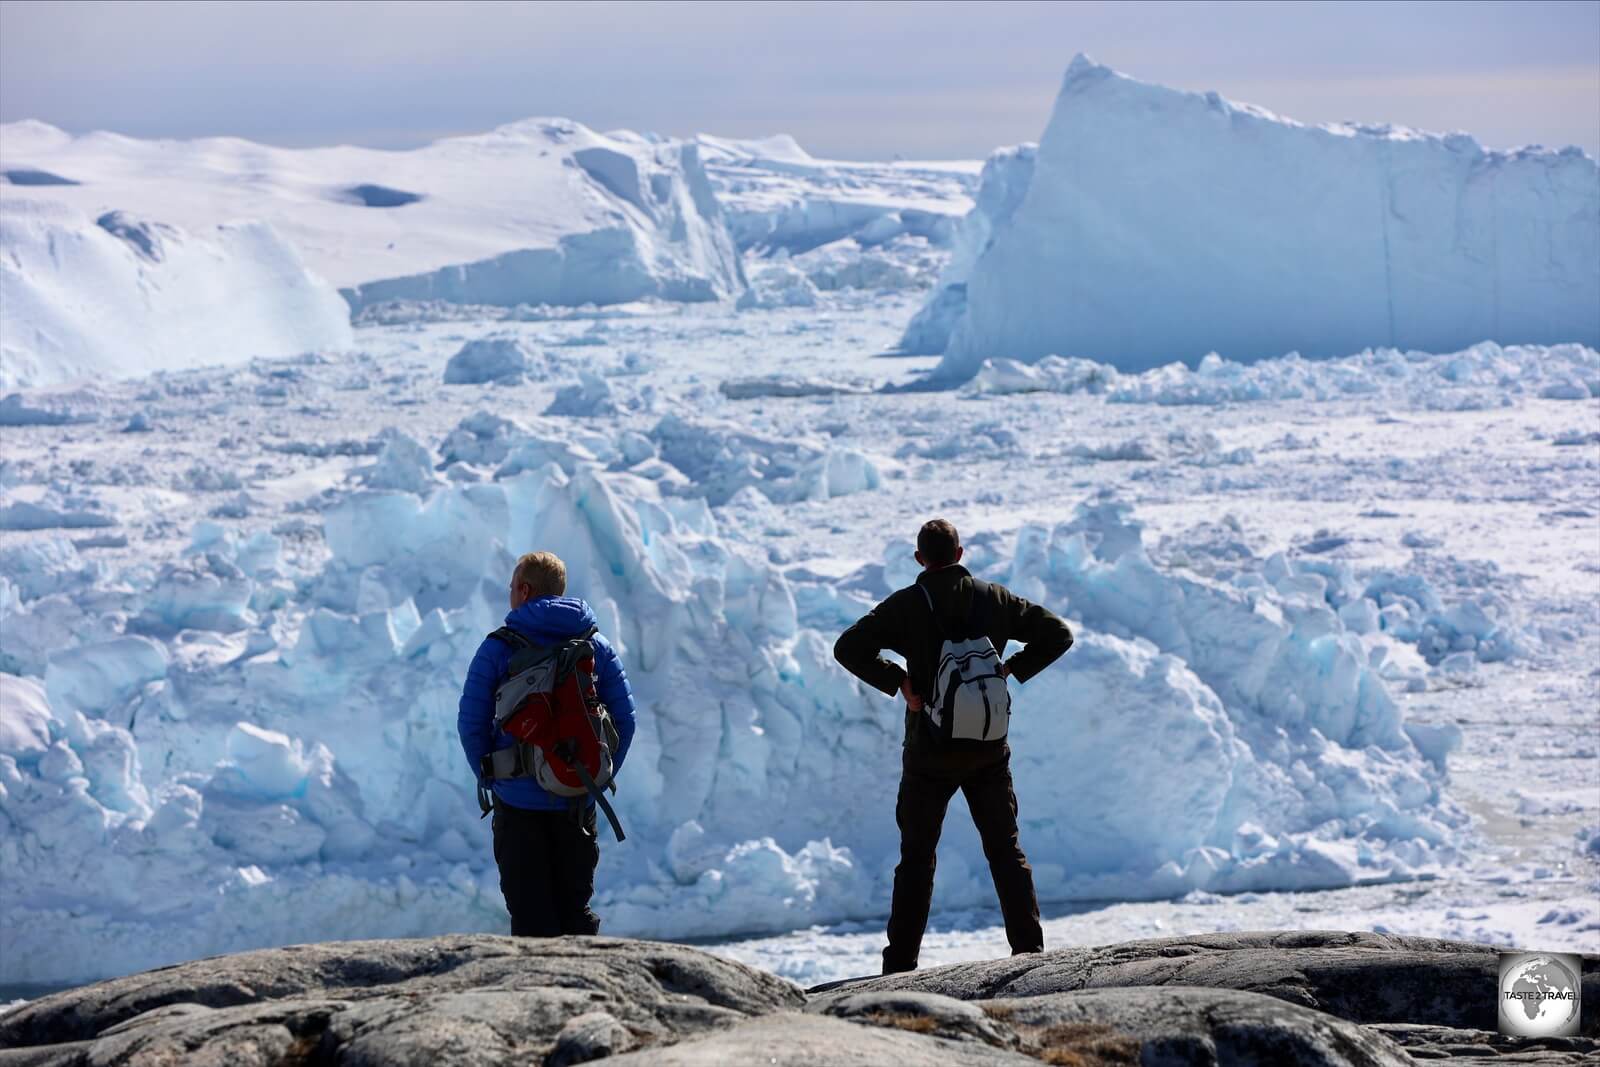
{"x":566,"y":737}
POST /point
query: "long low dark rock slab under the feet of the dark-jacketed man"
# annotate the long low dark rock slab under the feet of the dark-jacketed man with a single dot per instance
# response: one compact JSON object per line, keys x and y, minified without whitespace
{"x":1358,"y":977}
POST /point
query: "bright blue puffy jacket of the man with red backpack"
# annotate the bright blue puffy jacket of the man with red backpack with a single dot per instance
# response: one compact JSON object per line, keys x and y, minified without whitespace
{"x":546,"y":620}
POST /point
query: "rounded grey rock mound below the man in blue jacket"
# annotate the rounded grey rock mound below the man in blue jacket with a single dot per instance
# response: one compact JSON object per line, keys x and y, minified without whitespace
{"x":442,"y":1001}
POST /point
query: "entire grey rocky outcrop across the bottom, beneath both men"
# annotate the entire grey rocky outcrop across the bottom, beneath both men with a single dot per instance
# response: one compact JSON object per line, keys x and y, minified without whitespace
{"x":1321,"y":999}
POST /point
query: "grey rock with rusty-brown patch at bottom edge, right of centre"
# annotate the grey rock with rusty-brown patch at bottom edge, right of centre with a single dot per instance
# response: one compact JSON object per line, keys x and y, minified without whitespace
{"x":1190,"y":1028}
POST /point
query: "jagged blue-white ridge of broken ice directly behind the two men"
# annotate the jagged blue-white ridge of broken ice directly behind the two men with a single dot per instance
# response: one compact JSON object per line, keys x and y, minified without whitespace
{"x":254,"y":745}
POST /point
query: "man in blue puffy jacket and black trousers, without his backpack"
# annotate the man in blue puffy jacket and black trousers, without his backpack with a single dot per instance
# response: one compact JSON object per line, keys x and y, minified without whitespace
{"x":546,"y":847}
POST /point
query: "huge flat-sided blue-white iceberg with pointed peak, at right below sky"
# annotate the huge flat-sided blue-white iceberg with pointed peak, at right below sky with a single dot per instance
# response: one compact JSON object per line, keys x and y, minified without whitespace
{"x":1162,"y":226}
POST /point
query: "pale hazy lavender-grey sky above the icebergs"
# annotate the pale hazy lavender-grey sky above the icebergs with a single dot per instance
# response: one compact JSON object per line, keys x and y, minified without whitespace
{"x":849,"y":81}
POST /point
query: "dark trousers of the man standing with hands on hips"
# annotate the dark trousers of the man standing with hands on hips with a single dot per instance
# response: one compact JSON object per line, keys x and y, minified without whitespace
{"x":930,"y":777}
